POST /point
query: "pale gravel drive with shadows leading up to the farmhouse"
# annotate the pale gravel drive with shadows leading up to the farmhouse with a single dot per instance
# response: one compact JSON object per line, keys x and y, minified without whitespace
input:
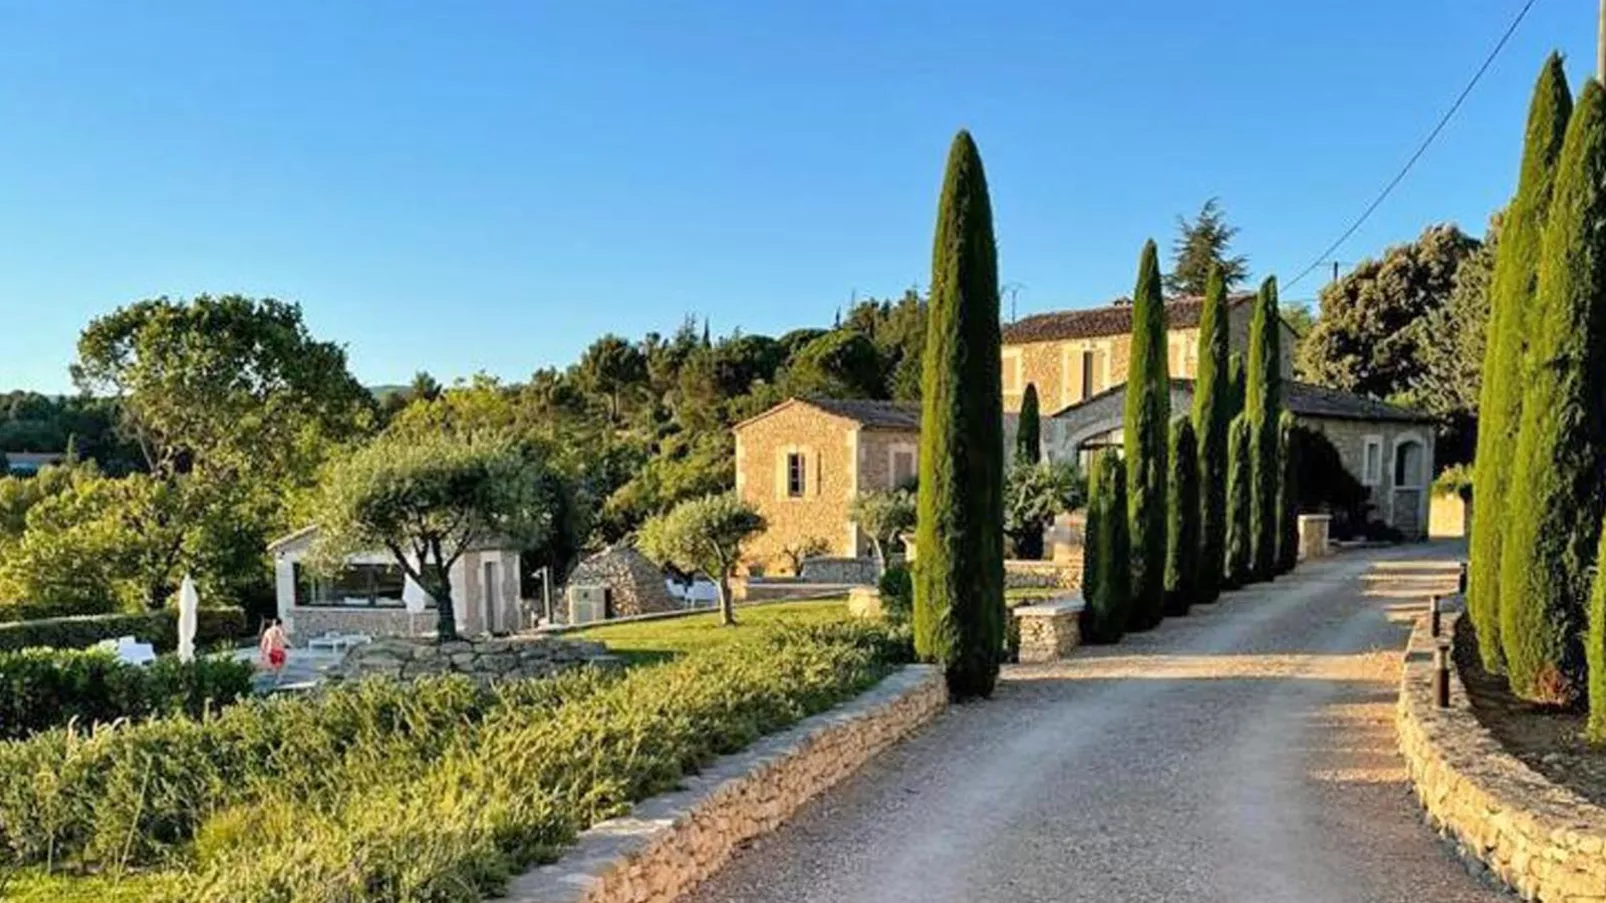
{"x":1242,"y":754}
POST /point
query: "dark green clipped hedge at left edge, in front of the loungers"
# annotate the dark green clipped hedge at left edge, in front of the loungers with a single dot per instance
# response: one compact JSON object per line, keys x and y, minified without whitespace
{"x":49,"y":688}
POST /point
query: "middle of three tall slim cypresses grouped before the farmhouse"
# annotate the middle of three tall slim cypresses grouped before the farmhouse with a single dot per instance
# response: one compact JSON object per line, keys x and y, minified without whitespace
{"x":1212,"y":419}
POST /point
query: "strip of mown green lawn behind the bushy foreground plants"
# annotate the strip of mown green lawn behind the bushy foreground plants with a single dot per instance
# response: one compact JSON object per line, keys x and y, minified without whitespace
{"x":650,"y":642}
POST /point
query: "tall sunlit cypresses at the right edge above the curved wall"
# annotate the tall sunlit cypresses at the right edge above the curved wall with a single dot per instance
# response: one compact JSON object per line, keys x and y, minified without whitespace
{"x":1541,"y":467}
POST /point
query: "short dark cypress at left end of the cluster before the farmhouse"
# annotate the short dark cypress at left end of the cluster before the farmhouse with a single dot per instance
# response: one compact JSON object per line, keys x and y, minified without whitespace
{"x":1107,"y":578}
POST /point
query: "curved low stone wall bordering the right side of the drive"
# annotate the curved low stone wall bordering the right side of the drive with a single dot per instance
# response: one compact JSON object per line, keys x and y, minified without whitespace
{"x":1541,"y":840}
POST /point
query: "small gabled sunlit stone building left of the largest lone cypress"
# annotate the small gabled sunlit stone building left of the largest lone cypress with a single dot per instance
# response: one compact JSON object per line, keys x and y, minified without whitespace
{"x":804,"y":462}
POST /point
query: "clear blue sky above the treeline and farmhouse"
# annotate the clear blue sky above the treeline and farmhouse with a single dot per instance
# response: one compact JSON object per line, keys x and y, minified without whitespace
{"x":465,"y":187}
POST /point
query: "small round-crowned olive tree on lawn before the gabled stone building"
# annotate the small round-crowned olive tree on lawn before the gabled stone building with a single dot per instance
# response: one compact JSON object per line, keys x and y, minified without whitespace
{"x":704,"y":536}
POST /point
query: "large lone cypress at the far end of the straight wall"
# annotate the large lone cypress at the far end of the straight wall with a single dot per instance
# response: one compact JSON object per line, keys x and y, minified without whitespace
{"x":960,"y":576}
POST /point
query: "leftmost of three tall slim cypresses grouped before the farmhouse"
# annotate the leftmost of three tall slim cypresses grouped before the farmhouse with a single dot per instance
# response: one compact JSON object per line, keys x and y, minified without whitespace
{"x":1146,"y":423}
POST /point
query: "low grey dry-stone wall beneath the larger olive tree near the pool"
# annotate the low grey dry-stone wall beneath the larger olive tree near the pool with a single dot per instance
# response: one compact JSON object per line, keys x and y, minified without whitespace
{"x":512,"y":658}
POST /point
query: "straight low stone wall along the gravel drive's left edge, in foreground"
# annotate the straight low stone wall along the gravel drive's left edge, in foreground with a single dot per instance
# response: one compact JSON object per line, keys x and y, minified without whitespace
{"x":675,"y":841}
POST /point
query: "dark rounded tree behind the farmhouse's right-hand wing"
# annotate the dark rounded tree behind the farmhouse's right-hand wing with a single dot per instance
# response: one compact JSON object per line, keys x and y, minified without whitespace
{"x":1374,"y":322}
